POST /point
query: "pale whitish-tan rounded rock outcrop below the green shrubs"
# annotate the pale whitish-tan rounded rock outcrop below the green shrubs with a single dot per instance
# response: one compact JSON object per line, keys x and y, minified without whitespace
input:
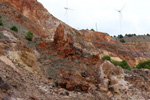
{"x":112,"y":78}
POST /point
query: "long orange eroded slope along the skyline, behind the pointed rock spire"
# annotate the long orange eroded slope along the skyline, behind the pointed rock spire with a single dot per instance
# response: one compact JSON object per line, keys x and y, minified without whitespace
{"x":39,"y":21}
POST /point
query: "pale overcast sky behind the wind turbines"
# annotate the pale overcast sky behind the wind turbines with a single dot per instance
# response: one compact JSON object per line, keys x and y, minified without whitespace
{"x":103,"y":15}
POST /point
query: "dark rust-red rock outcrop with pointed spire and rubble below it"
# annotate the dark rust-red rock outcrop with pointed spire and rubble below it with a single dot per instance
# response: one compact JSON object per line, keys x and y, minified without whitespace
{"x":72,"y":80}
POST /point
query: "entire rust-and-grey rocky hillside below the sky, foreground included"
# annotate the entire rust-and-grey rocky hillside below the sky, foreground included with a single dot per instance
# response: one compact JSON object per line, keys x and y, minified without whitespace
{"x":60,"y":62}
